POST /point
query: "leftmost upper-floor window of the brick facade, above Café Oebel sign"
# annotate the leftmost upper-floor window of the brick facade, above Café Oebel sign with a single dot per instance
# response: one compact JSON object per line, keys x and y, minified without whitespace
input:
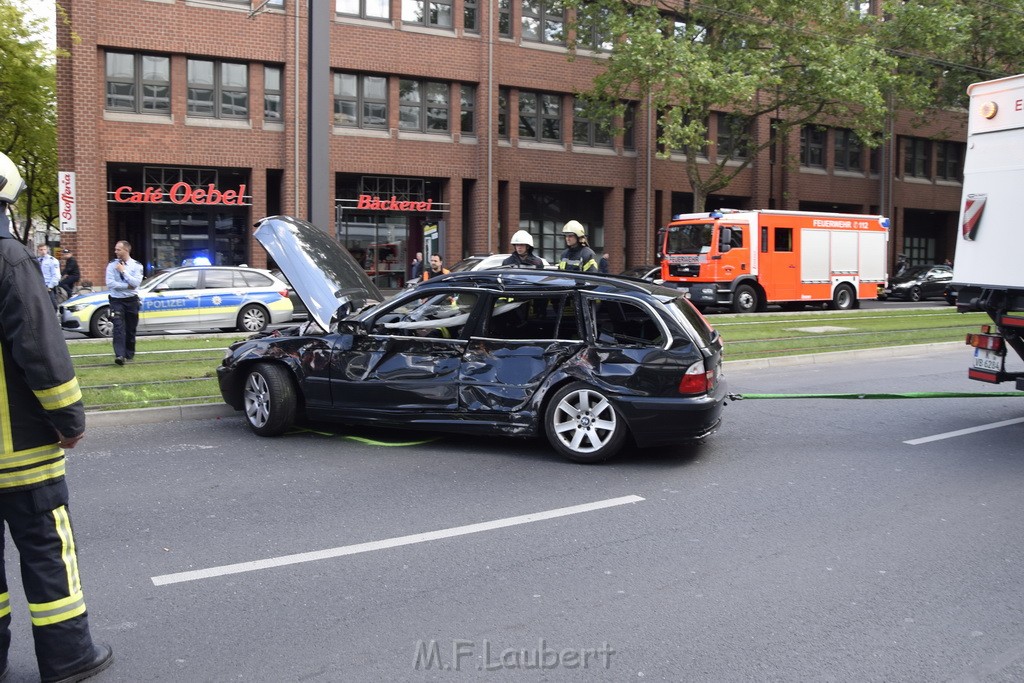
{"x":140,"y":83}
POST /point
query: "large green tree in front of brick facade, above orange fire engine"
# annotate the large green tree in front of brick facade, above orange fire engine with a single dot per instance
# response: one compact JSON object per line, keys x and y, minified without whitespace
{"x":796,"y":63}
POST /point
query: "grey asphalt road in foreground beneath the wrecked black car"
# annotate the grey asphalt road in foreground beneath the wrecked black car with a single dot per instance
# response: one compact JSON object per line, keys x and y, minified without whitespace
{"x":808,"y":540}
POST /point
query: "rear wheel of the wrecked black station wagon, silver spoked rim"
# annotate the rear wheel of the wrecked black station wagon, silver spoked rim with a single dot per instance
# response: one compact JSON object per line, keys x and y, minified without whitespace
{"x":583,"y":425}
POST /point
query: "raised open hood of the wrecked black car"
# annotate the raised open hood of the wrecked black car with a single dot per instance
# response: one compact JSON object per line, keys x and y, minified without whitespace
{"x":323,"y":273}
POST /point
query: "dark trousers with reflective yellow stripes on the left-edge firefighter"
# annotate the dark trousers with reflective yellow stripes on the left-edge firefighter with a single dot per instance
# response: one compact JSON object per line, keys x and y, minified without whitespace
{"x":40,"y":525}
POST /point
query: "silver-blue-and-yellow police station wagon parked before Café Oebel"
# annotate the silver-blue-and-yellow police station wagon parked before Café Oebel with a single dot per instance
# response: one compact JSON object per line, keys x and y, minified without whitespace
{"x":191,"y":298}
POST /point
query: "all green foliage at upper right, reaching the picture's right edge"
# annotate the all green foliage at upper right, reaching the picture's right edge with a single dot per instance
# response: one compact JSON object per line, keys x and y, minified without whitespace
{"x":795,"y":63}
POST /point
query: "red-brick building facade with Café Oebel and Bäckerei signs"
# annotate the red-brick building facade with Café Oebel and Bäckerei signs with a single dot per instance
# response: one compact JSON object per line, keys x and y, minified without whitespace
{"x":161,"y":99}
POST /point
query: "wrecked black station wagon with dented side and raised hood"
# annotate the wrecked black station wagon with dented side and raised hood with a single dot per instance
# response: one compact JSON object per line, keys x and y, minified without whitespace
{"x":586,"y":361}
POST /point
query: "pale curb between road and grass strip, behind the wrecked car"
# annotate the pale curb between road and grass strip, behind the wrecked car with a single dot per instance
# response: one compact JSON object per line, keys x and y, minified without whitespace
{"x":218,"y":411}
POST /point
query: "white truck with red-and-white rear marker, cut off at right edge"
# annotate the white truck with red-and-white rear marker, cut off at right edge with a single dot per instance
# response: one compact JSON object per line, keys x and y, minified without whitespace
{"x":989,"y":271}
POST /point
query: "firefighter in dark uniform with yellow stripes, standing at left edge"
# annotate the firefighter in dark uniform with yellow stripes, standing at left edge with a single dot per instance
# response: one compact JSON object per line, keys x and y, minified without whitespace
{"x":41,"y":414}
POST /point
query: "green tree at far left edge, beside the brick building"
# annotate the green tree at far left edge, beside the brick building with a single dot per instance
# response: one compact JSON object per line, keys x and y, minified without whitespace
{"x":28,"y":101}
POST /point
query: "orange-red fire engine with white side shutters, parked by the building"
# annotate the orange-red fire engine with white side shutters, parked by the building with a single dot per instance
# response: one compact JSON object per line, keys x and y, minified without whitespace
{"x":748,"y":260}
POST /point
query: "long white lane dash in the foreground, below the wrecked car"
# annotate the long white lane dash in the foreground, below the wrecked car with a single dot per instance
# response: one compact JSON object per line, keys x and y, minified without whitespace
{"x":297,"y":559}
